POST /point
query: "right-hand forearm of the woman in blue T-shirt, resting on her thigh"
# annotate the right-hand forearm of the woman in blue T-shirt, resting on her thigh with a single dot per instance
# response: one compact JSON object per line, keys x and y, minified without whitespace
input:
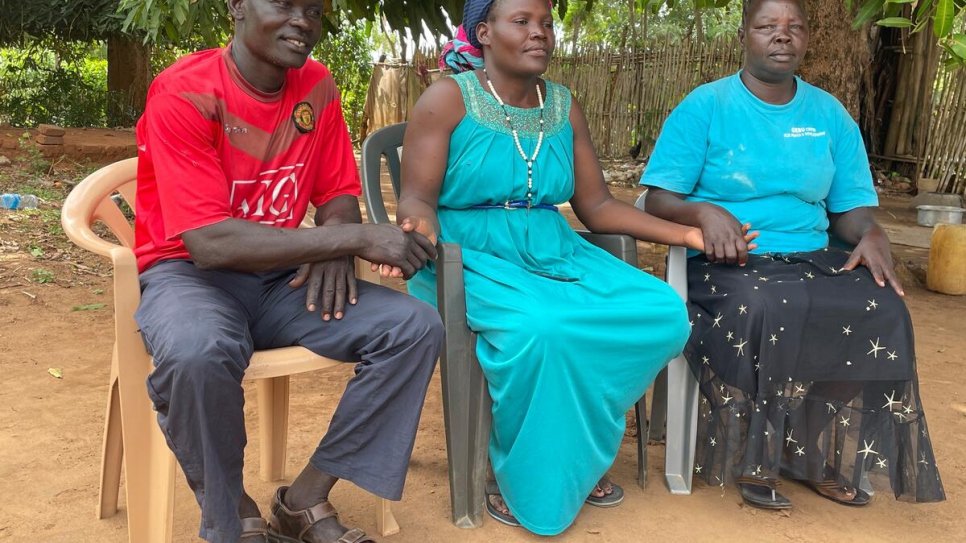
{"x":859,"y":227}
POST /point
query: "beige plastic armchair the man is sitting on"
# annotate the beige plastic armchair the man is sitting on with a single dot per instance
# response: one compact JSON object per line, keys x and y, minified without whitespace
{"x":132,"y":437}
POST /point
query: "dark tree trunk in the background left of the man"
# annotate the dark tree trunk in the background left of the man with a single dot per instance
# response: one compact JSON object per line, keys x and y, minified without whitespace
{"x":128,"y":78}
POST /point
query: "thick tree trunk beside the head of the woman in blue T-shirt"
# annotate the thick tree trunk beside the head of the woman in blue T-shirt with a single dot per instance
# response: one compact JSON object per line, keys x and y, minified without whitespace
{"x":837,"y":55}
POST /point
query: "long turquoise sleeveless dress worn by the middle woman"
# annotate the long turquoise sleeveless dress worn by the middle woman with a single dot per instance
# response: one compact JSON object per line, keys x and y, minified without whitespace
{"x":569,"y":337}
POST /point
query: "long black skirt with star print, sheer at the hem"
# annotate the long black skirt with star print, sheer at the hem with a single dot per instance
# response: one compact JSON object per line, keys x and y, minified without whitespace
{"x":808,"y":372}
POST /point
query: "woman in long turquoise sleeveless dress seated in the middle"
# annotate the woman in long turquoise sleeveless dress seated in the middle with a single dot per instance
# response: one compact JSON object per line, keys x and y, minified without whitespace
{"x":569,"y":337}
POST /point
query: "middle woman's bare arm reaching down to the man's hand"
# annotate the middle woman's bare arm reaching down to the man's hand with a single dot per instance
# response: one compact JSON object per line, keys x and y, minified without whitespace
{"x":425,"y":151}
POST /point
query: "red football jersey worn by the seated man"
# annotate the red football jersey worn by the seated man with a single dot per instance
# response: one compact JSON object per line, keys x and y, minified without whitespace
{"x":212,"y":147}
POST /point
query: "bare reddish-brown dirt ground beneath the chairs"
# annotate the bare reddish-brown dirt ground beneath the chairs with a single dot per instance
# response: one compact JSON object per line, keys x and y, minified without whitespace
{"x":56,"y":313}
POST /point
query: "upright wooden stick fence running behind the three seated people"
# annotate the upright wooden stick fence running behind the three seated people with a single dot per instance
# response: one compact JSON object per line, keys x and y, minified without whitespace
{"x":626,"y":97}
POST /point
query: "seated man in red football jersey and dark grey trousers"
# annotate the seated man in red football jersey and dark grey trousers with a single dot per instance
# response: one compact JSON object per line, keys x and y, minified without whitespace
{"x":233,"y":146}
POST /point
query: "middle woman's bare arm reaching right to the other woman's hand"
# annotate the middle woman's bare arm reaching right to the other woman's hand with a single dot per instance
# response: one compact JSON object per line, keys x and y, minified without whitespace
{"x":597,"y":209}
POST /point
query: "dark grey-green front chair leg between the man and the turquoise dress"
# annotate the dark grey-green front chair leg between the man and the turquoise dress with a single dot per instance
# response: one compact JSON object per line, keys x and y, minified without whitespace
{"x":467,"y":412}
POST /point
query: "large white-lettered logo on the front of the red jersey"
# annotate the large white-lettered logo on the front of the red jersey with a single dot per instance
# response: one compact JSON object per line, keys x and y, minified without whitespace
{"x":269,"y":199}
